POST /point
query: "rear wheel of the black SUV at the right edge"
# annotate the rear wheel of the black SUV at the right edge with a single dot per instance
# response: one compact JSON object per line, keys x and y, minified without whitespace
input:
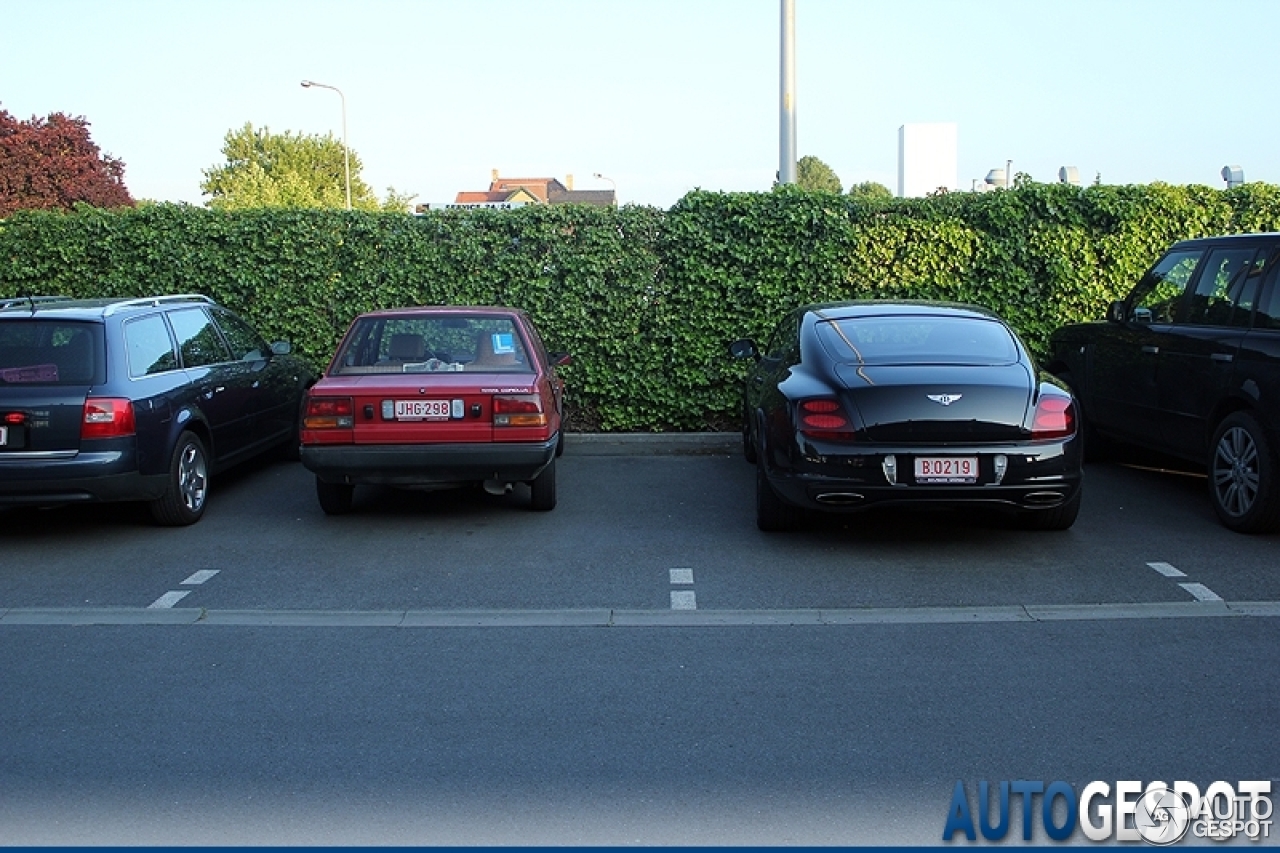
{"x":1242,"y":476}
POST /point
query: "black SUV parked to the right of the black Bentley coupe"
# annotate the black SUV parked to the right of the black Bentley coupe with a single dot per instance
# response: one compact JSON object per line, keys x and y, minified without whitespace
{"x":1190,"y":366}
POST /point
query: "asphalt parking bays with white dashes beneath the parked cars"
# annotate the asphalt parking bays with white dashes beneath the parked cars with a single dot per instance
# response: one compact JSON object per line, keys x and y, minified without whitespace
{"x":647,"y":530}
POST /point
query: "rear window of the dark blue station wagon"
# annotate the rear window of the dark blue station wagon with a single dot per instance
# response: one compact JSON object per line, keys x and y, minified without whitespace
{"x":51,"y":353}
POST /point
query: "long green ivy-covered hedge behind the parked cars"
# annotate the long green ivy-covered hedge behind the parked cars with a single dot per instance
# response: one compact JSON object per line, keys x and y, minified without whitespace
{"x":644,"y":300}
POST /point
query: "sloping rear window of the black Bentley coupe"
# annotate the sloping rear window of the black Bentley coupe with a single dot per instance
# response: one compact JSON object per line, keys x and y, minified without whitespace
{"x":918,"y":340}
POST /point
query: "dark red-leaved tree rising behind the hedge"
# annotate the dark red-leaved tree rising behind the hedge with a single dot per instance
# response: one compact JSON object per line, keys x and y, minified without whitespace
{"x":54,"y":165}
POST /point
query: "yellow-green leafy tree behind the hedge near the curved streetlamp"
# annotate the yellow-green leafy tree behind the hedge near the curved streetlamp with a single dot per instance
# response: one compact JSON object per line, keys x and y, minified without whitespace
{"x":289,"y":170}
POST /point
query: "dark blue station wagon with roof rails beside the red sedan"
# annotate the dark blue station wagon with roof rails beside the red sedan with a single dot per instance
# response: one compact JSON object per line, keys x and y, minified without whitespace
{"x":138,"y":400}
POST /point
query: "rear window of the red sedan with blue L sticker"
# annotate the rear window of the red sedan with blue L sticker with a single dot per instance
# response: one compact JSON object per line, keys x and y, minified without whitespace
{"x":427,"y":344}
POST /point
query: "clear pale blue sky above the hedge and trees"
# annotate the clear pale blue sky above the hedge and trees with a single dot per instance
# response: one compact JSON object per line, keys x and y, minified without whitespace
{"x":660,"y":95}
